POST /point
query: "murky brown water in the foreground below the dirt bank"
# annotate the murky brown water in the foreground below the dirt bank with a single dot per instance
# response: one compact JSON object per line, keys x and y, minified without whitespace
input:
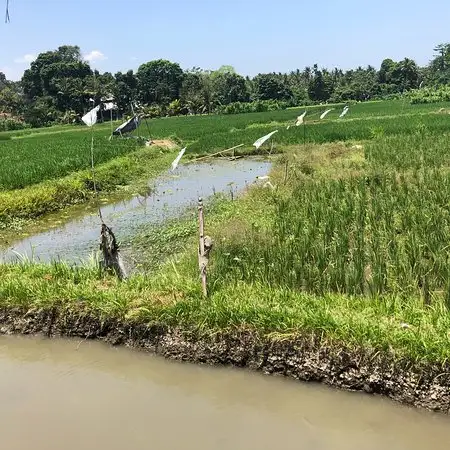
{"x":84,"y":395}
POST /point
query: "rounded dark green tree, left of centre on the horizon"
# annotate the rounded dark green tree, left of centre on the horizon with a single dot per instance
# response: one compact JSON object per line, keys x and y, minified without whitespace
{"x":159,"y":81}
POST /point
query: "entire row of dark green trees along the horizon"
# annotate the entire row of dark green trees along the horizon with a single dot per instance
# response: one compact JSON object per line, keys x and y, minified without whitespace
{"x":59,"y":86}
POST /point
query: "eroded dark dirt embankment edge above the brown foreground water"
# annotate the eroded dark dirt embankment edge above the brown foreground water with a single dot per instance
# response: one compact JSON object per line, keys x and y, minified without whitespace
{"x":302,"y":358}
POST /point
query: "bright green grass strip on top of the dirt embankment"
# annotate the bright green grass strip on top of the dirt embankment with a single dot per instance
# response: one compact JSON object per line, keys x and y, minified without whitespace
{"x":175,"y":300}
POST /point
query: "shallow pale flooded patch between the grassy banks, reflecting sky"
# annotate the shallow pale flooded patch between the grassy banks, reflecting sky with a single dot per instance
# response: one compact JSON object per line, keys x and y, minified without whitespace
{"x":74,"y":237}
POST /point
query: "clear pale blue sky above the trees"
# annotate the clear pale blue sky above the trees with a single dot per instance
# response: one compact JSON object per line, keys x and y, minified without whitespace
{"x":253,"y":36}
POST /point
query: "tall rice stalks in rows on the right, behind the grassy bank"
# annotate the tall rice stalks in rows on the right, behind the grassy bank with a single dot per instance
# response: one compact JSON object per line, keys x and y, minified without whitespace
{"x":383,"y":232}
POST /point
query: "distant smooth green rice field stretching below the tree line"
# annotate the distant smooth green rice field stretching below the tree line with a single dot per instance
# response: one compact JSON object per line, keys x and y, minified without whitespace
{"x":30,"y":156}
